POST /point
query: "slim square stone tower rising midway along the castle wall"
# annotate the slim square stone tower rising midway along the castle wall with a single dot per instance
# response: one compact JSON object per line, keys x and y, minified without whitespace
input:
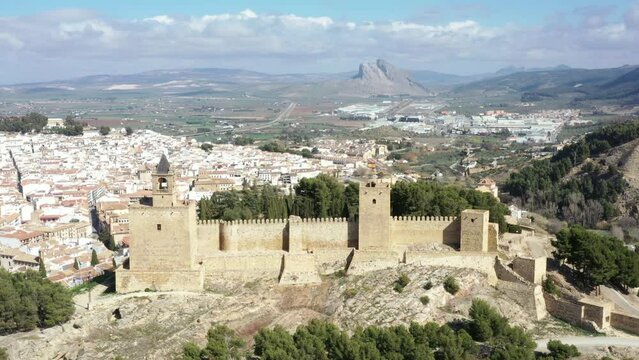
{"x":374,"y":216}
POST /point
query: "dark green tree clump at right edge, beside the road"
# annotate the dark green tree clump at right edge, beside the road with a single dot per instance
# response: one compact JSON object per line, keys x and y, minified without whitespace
{"x":599,"y":259}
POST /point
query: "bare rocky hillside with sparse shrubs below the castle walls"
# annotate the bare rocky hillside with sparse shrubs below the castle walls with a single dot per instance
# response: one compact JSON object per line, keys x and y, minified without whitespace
{"x":154,"y":325}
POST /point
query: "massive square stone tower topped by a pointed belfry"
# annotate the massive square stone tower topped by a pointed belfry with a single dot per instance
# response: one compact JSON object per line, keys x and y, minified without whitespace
{"x":163,"y":242}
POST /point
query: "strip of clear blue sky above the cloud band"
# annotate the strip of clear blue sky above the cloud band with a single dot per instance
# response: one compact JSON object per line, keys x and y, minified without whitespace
{"x":496,"y":11}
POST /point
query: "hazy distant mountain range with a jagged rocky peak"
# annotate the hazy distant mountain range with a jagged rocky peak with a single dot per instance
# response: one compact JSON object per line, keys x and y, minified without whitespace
{"x":377,"y":78}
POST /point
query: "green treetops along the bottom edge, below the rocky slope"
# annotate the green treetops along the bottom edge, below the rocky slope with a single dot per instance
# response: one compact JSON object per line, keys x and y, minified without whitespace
{"x":321,"y":340}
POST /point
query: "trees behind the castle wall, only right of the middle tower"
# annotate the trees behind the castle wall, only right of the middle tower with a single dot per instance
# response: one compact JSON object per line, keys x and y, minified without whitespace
{"x":427,"y":198}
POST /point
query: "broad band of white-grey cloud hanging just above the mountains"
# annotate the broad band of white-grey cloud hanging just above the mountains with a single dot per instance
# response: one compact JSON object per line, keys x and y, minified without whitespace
{"x":290,"y":42}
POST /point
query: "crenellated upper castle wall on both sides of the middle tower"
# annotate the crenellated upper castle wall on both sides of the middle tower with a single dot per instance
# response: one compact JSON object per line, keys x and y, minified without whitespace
{"x":298,"y":234}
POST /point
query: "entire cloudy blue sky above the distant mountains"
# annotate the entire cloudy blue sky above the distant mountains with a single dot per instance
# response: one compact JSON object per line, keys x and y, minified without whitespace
{"x":43,"y":40}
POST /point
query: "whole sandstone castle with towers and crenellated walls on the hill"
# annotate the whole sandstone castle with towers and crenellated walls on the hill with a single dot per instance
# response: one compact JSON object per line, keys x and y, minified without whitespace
{"x":171,"y":250}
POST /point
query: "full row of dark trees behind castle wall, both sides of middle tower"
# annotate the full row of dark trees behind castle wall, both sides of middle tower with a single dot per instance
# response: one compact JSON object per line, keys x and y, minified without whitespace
{"x":325,"y":196}
